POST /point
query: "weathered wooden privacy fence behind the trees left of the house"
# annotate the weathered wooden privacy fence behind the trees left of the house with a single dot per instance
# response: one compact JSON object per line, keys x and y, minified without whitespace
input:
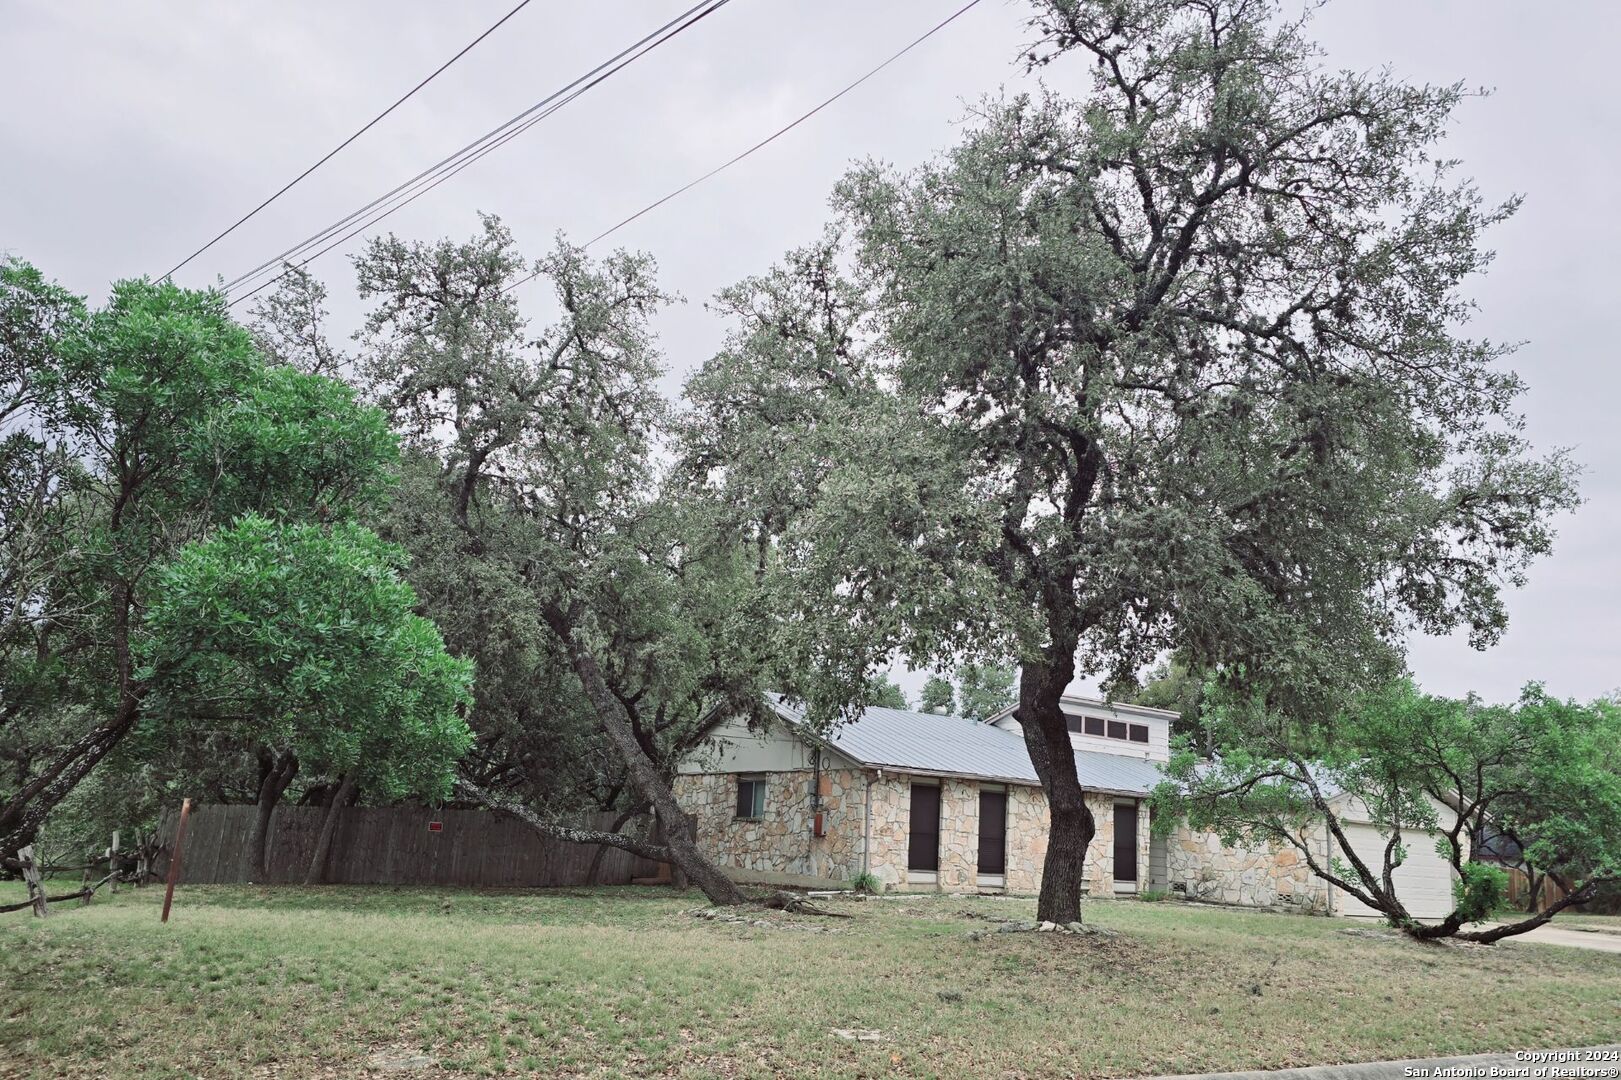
{"x":395,"y":846}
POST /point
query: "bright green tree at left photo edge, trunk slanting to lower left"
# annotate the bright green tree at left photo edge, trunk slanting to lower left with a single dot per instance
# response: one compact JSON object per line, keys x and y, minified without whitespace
{"x":174,"y":426}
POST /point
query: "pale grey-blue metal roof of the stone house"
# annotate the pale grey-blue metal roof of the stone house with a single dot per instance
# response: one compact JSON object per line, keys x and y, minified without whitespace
{"x":956,"y":747}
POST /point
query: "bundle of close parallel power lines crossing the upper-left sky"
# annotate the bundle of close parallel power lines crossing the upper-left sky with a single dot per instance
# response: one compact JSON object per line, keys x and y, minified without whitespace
{"x":468,"y":155}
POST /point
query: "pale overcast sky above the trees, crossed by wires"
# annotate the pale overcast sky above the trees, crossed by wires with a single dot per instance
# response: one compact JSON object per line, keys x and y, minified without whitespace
{"x":135,"y":132}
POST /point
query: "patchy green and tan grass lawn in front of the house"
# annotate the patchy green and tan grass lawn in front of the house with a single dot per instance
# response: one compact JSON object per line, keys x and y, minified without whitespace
{"x":623,"y":982}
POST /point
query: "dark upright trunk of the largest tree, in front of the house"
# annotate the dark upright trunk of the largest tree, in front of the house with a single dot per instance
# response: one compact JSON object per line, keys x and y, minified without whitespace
{"x":1048,"y":739}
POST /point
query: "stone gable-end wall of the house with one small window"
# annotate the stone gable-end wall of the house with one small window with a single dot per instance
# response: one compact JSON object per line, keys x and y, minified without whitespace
{"x":782,"y":841}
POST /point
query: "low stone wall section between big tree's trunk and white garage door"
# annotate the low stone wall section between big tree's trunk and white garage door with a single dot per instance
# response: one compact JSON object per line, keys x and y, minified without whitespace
{"x":1255,"y":876}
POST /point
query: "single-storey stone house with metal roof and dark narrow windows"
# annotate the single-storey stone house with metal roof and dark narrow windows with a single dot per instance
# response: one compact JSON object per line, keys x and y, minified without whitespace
{"x":944,"y":804}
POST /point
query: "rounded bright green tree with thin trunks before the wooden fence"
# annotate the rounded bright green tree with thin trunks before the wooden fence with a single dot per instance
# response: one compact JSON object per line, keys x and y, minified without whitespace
{"x":304,"y":638}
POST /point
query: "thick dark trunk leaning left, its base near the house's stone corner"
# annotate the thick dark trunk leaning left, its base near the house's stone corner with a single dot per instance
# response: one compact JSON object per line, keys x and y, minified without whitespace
{"x":646,"y":778}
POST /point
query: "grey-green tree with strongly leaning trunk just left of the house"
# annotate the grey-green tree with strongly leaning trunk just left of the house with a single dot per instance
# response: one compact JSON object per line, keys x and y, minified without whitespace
{"x":542,"y":445}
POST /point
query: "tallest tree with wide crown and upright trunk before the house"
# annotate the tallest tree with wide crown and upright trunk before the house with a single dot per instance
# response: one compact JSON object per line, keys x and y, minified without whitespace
{"x":1184,"y":361}
